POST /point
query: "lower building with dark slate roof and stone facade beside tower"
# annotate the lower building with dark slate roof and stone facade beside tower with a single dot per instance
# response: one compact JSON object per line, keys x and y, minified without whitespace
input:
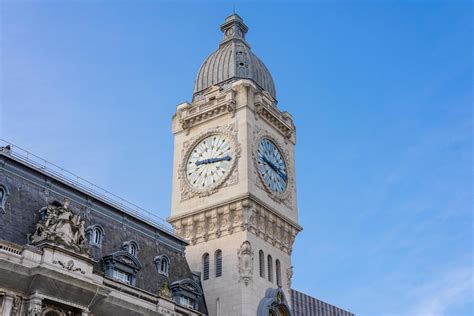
{"x":49,"y":262}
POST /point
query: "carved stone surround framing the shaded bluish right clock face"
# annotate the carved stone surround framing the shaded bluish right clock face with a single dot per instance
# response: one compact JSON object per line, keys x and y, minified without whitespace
{"x":286,"y":196}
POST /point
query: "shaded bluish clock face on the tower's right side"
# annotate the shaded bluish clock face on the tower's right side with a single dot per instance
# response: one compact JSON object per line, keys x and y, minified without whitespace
{"x":272,"y":166}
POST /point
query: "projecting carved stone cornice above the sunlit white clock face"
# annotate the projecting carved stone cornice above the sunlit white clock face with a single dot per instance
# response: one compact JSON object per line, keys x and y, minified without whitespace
{"x":214,"y":102}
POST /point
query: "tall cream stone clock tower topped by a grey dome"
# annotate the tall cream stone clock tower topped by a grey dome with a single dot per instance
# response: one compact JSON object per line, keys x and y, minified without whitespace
{"x":234,"y":193}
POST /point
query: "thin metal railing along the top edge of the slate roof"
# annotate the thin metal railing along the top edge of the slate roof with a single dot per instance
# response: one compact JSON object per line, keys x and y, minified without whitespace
{"x":77,"y":182}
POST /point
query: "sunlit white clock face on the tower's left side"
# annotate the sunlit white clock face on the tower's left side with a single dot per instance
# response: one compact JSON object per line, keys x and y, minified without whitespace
{"x":208,"y":161}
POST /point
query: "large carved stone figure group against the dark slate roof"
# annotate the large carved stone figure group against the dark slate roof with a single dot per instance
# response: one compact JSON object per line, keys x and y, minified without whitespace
{"x":59,"y":225}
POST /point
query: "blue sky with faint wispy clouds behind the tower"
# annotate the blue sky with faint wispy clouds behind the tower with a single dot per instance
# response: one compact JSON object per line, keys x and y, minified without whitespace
{"x":380,"y":91}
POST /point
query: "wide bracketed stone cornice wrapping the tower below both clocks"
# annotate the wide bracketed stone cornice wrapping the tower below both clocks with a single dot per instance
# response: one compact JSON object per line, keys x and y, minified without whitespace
{"x":242,"y":215}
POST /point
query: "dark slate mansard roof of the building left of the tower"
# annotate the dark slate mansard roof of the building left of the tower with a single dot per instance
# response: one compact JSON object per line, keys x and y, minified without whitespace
{"x":30,"y":189}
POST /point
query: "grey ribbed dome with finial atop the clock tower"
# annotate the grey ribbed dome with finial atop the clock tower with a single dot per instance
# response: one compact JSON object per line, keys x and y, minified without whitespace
{"x":233,"y":61}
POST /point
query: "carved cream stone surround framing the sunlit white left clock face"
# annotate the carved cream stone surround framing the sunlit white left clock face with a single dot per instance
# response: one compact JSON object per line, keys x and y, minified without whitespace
{"x":231,"y":176}
